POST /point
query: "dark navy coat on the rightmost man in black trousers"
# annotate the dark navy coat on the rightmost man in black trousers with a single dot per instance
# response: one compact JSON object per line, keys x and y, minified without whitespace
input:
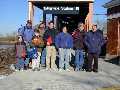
{"x":94,"y":41}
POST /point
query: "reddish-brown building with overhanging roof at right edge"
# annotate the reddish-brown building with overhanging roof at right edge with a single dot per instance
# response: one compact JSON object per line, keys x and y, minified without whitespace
{"x":113,"y":27}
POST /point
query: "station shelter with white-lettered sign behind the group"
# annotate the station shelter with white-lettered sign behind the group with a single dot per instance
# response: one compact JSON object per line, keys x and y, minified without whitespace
{"x":65,"y":11}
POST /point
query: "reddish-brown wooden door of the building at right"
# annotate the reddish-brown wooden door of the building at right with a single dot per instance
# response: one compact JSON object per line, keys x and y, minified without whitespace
{"x":112,"y":34}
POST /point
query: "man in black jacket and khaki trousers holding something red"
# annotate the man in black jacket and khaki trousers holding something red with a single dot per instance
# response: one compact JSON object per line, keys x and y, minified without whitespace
{"x":49,"y":37}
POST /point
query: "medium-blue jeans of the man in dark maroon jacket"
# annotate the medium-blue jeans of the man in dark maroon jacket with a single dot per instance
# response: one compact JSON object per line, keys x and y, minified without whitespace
{"x":79,"y":58}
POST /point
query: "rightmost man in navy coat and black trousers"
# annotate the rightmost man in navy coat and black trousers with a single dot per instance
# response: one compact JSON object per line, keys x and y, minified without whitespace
{"x":93,"y":40}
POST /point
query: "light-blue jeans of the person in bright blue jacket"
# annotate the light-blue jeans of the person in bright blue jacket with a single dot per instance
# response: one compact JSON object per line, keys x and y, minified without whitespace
{"x":64,"y":58}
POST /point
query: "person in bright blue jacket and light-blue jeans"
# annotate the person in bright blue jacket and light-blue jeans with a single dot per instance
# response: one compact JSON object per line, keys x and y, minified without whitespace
{"x":64,"y":42}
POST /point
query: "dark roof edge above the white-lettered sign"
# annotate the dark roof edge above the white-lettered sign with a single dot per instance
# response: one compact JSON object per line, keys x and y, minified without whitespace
{"x":42,"y":3}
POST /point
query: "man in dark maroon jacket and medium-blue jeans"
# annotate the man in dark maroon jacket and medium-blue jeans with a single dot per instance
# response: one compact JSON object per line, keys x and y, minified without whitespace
{"x":78,"y":36}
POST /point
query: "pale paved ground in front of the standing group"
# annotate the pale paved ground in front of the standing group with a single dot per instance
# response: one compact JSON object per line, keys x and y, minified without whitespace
{"x":108,"y":75}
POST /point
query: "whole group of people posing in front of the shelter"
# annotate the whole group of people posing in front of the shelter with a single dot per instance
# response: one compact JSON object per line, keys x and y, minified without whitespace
{"x":40,"y":47}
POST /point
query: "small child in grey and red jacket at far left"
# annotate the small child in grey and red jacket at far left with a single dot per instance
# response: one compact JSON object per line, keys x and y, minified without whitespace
{"x":20,"y":53}
